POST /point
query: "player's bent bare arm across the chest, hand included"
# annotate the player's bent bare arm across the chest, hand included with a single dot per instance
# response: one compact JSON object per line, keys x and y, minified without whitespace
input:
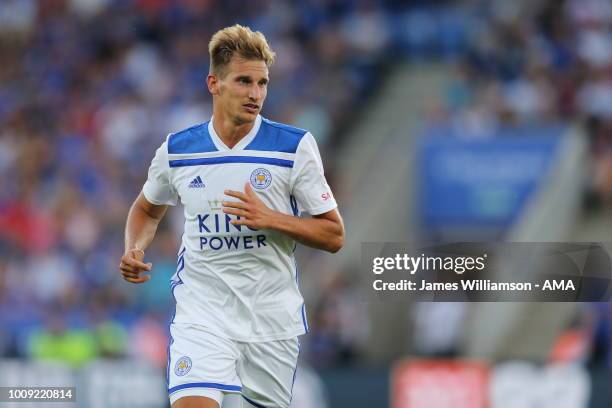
{"x":324,"y":231}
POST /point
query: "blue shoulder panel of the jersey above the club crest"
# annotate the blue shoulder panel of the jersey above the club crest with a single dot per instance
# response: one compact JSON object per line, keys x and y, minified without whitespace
{"x":276,"y":137}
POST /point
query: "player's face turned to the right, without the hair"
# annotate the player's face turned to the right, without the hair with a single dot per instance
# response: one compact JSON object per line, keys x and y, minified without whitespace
{"x":241,"y":92}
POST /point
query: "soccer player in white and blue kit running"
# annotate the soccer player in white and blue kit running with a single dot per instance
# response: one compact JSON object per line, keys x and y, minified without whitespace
{"x":242,"y":180}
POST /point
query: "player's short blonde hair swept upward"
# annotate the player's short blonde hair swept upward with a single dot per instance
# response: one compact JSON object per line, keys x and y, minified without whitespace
{"x":241,"y":41}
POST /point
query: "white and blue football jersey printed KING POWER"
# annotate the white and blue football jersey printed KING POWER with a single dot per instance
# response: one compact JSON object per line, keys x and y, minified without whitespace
{"x":239,"y":282}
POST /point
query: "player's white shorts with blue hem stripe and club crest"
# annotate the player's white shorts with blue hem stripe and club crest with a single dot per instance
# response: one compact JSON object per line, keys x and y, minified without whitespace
{"x":201,"y":363}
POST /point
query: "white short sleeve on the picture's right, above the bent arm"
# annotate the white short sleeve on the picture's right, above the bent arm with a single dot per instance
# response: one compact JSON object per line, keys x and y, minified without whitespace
{"x":308,"y":184}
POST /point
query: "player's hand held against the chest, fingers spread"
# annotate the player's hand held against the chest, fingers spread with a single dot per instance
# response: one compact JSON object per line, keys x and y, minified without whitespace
{"x":252,"y":211}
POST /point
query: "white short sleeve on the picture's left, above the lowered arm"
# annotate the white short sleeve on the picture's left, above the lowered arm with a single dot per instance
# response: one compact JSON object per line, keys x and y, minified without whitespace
{"x":158,"y":189}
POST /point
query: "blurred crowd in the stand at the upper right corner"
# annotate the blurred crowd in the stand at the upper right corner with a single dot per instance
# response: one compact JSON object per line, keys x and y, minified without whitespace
{"x":535,"y":64}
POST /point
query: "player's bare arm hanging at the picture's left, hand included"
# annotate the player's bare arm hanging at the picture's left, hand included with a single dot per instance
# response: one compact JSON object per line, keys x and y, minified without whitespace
{"x":141,"y":225}
